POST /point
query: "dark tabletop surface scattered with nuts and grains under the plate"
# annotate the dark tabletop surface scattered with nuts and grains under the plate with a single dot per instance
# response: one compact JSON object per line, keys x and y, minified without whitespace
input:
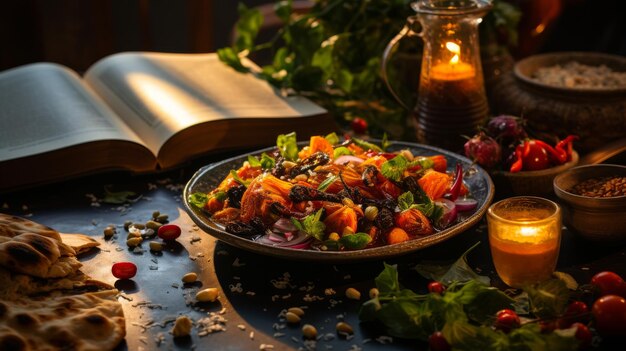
{"x":254,"y":289}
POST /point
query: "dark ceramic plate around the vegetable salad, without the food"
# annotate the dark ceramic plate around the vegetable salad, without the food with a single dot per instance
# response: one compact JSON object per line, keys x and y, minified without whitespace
{"x":208,"y":177}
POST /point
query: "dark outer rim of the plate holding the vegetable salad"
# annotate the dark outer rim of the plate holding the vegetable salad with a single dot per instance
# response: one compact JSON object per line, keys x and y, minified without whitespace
{"x":380,"y":252}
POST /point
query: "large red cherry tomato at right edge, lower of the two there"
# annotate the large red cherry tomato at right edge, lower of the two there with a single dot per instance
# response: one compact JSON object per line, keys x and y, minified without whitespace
{"x":609,"y":313}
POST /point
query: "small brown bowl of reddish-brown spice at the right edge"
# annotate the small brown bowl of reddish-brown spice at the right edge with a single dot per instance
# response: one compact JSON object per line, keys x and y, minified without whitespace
{"x":594,"y":201}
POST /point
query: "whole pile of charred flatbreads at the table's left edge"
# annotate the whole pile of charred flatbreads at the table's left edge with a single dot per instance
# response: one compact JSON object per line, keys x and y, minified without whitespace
{"x":46,"y":302}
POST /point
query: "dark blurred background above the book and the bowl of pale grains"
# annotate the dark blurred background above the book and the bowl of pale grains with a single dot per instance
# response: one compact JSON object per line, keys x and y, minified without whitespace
{"x":77,"y":33}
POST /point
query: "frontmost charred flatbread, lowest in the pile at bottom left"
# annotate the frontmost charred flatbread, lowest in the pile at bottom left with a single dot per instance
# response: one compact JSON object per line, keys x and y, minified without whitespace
{"x":84,"y":322}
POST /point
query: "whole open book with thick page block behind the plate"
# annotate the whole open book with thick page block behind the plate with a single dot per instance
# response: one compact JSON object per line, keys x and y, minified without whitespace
{"x":138,"y":111}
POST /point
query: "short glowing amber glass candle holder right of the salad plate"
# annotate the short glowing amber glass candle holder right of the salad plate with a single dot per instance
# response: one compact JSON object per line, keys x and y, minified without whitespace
{"x":525,"y":237}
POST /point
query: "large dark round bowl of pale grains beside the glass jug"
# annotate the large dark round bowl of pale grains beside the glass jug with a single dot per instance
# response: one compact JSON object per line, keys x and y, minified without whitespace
{"x":582,"y":93}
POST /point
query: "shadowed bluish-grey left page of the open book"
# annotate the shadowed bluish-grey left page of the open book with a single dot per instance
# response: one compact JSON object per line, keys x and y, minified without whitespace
{"x":46,"y":107}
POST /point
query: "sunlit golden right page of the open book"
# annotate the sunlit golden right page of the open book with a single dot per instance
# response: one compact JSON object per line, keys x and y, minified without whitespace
{"x":160,"y":94}
